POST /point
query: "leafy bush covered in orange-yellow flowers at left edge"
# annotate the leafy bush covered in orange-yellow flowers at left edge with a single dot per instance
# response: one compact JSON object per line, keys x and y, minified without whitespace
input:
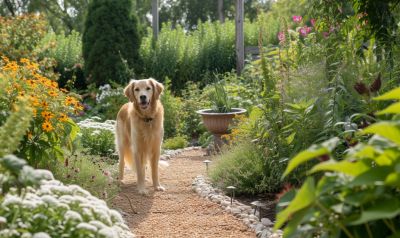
{"x":51,"y":127}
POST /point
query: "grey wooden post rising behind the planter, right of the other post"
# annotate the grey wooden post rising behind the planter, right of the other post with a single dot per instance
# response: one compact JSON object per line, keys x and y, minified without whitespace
{"x":239,"y":36}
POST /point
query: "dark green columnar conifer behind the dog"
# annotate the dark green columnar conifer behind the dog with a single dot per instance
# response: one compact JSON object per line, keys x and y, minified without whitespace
{"x":111,"y":41}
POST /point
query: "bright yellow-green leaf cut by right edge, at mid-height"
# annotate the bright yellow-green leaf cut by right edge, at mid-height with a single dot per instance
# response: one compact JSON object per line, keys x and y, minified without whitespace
{"x":388,"y":130}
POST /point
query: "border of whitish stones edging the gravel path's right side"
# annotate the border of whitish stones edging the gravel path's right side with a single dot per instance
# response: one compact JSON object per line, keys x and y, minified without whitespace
{"x":263,"y":228}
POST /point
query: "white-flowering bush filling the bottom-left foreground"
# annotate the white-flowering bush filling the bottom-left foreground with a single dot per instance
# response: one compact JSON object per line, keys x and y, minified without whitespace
{"x":34,"y":204}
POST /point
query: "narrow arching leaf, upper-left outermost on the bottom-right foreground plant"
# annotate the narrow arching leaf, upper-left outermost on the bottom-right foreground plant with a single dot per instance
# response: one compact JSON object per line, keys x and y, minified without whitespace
{"x":311,"y":153}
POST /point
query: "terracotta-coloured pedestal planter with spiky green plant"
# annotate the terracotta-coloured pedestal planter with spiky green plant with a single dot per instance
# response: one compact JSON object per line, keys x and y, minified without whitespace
{"x":218,"y":119}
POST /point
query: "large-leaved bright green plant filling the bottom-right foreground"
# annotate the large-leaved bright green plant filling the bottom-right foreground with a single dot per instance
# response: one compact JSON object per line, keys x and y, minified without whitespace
{"x":358,"y":194}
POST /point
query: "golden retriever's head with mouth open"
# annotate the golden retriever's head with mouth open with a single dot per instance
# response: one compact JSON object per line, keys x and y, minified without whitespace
{"x":143,"y":92}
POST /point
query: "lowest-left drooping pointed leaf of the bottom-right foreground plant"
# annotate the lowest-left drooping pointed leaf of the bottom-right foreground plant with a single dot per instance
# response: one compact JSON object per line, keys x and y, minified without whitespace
{"x":304,"y":198}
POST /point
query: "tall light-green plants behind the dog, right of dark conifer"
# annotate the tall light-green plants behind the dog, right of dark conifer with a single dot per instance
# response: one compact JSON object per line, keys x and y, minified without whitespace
{"x":193,"y":56}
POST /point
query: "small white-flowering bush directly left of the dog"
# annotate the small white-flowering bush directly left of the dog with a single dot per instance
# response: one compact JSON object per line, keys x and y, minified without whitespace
{"x":97,"y":138}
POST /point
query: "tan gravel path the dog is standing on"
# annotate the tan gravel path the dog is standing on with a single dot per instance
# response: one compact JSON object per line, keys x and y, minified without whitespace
{"x":177,"y":212}
